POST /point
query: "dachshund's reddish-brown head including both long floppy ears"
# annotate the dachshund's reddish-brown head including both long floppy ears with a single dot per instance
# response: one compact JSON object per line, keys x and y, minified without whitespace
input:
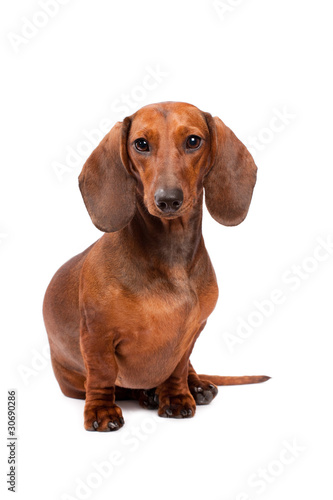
{"x":168,"y":152}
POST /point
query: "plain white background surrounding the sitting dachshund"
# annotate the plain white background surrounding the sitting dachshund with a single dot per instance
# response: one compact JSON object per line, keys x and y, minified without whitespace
{"x":244,"y":65}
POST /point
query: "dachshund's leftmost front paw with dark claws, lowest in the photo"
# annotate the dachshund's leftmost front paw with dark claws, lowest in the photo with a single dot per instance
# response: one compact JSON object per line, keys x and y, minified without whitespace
{"x":103,"y":418}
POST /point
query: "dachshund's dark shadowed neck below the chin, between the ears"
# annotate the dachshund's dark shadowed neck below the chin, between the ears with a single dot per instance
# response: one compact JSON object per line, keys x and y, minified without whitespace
{"x":170,"y":242}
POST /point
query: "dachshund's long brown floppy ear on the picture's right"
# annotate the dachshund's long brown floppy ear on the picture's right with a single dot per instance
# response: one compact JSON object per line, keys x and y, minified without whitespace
{"x":230,"y":181}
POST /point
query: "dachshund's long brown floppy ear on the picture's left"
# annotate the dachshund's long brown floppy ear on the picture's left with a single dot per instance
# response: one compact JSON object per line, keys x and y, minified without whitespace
{"x":107,"y":188}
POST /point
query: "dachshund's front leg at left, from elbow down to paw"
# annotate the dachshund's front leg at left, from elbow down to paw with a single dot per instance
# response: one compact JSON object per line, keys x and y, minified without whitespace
{"x":100,"y":411}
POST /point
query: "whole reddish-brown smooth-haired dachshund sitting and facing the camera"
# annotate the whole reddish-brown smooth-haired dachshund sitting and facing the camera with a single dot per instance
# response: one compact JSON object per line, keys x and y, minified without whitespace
{"x":123,"y":316}
